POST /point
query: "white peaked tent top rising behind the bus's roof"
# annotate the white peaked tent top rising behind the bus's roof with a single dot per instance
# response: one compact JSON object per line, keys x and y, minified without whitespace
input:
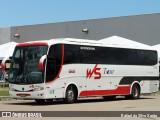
{"x":116,"y":40}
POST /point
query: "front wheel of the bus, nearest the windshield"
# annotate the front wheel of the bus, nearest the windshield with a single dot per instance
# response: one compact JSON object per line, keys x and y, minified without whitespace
{"x":71,"y":95}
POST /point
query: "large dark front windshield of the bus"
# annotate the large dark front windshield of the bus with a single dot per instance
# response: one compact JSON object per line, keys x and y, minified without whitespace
{"x":24,"y":65}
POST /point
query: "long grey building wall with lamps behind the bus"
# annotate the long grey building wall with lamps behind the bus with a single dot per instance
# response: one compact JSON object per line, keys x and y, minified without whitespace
{"x":140,"y":28}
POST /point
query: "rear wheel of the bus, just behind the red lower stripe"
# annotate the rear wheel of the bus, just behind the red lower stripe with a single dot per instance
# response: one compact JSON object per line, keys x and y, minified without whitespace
{"x":135,"y":93}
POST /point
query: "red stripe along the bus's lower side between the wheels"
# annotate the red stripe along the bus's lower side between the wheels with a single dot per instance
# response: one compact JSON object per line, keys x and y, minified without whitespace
{"x":121,"y":90}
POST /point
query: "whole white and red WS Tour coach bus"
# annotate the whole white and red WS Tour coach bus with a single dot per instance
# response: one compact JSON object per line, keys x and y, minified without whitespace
{"x":72,"y":68}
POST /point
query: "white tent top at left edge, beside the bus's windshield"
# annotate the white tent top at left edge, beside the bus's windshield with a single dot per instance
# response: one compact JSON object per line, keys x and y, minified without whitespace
{"x":7,"y":49}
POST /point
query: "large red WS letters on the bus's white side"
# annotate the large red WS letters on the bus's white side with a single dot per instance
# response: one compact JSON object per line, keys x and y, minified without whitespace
{"x":95,"y":71}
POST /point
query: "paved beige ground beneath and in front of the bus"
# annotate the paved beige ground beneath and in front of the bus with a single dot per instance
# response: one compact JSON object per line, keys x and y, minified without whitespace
{"x":145,"y":103}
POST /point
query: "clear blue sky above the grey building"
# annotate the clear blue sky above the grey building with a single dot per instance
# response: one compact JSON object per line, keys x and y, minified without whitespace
{"x":29,"y":12}
